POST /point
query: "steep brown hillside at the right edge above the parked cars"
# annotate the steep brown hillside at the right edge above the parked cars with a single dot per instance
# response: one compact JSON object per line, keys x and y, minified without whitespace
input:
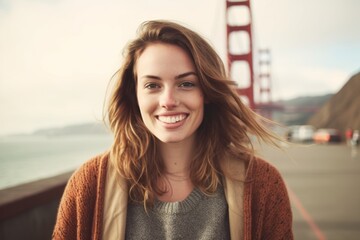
{"x":342,"y":110}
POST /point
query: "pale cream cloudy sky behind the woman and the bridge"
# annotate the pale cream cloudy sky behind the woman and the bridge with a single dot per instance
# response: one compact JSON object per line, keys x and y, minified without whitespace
{"x":57,"y":56}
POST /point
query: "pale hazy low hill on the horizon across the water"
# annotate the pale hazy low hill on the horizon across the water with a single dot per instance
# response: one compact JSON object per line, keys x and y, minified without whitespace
{"x":76,"y":129}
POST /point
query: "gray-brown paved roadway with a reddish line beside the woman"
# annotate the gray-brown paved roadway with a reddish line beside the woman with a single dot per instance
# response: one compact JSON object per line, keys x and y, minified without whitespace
{"x":324,"y":189}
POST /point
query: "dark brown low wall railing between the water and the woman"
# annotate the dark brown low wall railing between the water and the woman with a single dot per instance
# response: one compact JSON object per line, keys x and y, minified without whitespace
{"x":29,"y":211}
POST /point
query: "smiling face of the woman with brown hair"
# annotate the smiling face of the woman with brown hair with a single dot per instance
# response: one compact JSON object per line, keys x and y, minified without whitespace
{"x":168,"y":92}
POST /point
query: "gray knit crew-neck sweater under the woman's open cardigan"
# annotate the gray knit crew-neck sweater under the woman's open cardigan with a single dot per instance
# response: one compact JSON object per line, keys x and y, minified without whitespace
{"x":197,"y":217}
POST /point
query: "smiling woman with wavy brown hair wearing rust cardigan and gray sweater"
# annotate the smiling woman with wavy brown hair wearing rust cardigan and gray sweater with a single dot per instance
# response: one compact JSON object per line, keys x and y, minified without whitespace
{"x":182,"y":165}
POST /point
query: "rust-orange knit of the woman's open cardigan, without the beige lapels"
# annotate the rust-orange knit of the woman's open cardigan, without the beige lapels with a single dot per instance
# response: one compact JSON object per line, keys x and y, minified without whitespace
{"x":266,"y":207}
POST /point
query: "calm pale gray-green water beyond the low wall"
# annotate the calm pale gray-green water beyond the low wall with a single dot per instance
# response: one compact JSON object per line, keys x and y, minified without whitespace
{"x":28,"y":158}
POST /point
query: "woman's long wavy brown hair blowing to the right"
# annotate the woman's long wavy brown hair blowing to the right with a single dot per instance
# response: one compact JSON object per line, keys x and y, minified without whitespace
{"x":225,"y":131}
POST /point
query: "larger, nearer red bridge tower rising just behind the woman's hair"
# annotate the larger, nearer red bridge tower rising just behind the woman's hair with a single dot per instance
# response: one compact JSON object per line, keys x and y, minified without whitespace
{"x":239,"y":48}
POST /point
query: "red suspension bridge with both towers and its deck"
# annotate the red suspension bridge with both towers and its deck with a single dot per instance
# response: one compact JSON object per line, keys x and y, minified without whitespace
{"x":254,"y":88}
